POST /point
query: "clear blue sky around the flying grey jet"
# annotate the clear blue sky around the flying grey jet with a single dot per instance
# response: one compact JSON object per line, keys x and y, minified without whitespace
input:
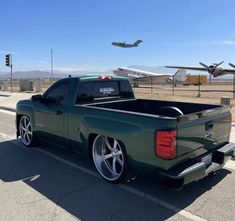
{"x":80,"y":32}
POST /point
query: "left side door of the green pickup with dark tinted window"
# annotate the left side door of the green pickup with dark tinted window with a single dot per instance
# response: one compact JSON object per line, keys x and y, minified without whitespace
{"x":51,"y":111}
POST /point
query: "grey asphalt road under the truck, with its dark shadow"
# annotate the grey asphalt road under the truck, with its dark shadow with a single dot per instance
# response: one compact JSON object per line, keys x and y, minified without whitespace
{"x":52,"y":183}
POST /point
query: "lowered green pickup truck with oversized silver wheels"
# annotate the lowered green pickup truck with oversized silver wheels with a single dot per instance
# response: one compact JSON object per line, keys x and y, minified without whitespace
{"x":99,"y":116}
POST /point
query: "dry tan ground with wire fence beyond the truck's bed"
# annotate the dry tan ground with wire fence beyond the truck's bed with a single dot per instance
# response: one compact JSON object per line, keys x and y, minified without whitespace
{"x":209,"y":93}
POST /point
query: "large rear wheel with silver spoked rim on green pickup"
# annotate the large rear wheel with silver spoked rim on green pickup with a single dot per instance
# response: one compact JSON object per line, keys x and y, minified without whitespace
{"x":110,"y":159}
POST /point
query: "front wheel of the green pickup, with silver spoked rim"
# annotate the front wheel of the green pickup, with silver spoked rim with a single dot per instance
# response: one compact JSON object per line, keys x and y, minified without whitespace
{"x":26,"y":132}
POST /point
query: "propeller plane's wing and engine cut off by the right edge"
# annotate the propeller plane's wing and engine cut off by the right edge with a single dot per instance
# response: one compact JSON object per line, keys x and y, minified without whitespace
{"x":213,"y":69}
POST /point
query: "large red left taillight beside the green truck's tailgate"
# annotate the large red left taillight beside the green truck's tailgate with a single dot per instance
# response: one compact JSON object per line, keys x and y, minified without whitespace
{"x":165,"y":144}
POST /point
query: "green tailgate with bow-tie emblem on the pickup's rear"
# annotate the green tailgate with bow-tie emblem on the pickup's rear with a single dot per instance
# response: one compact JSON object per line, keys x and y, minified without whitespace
{"x":203,"y":131}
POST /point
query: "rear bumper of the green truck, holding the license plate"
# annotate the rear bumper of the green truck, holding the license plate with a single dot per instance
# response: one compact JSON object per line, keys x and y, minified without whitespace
{"x":198,"y":168}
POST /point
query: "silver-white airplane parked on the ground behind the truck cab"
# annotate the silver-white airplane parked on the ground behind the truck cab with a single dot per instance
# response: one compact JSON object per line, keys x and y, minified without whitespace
{"x":132,"y":74}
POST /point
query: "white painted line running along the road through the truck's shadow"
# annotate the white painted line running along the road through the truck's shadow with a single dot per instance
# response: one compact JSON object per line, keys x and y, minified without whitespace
{"x":138,"y":193}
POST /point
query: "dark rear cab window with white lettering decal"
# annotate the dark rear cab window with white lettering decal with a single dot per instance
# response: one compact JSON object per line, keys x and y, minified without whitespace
{"x":92,"y":90}
